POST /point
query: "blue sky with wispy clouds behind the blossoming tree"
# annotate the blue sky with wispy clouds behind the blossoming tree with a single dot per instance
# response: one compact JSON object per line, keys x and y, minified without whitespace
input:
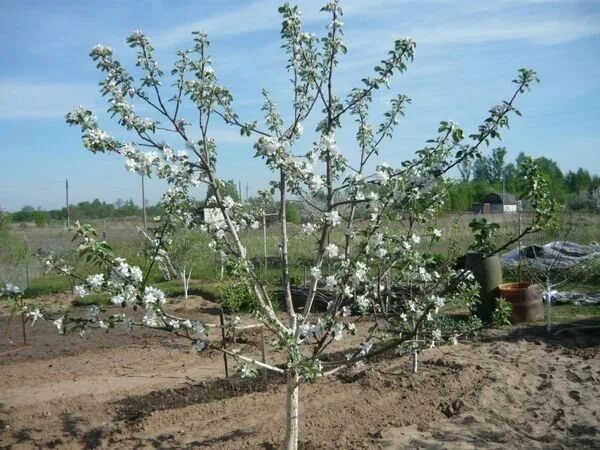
{"x":467,"y":54}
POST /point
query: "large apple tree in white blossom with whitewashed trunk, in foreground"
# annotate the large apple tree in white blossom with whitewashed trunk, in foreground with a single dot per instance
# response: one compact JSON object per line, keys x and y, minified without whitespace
{"x":378,"y":271}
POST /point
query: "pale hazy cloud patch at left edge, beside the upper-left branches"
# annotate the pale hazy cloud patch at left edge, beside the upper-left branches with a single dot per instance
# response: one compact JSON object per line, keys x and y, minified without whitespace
{"x":42,"y":100}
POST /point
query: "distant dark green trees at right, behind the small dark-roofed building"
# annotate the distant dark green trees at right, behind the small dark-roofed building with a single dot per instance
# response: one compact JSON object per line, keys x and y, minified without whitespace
{"x":577,"y":190}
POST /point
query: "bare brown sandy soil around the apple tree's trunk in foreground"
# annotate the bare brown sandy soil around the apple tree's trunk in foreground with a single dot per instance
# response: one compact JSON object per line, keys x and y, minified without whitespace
{"x":506,"y":390}
